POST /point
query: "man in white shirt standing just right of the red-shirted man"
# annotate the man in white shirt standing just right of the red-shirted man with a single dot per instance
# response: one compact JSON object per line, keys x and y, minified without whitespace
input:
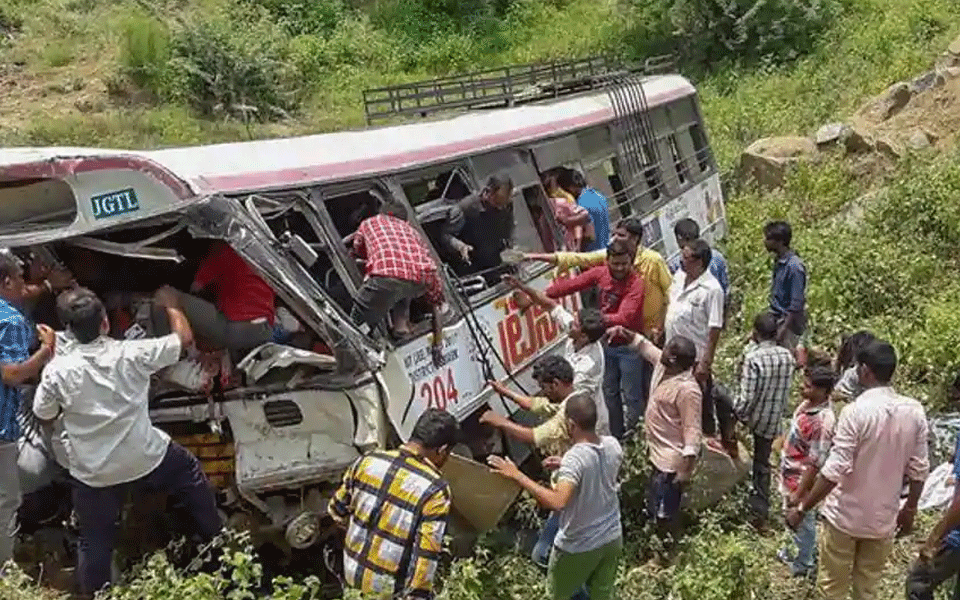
{"x":696,"y":313}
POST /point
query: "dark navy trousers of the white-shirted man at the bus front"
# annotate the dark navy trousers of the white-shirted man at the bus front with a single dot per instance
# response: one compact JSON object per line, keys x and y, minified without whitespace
{"x":98,"y":511}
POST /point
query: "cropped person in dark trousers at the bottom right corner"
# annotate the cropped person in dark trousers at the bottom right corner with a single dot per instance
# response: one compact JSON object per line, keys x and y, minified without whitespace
{"x":939,"y":558}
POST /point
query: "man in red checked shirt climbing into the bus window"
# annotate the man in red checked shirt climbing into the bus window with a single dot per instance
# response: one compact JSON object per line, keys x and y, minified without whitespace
{"x":399,"y":268}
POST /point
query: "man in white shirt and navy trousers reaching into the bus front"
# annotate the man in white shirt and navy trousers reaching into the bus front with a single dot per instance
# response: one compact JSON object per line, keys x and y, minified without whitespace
{"x":100,"y":389}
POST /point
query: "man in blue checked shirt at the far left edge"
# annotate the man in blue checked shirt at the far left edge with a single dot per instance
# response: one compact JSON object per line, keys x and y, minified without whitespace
{"x":17,"y":366}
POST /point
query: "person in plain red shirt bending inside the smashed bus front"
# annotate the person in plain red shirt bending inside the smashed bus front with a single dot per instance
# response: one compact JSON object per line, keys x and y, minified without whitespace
{"x":242,"y":314}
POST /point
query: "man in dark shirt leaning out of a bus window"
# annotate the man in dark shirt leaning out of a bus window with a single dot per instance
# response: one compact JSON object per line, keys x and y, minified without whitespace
{"x":475,"y":229}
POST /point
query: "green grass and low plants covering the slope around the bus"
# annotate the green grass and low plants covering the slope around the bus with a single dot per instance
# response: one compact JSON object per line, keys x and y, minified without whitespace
{"x":892,"y":273}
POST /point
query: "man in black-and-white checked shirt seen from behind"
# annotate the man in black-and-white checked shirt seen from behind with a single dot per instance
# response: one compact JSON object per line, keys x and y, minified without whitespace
{"x":765,"y":380}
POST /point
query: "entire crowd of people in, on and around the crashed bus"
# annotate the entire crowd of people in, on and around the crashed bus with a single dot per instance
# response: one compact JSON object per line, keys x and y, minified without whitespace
{"x":637,"y":361}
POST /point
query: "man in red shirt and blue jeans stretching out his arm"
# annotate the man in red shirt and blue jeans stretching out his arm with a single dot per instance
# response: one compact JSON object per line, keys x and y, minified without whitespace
{"x":621,"y":303}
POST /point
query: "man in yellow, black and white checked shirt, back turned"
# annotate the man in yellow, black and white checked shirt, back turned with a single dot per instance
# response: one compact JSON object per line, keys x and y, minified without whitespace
{"x":394,"y":505}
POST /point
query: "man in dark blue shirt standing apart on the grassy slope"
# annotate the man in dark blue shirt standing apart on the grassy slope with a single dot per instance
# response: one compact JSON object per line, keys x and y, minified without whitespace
{"x":788,"y":287}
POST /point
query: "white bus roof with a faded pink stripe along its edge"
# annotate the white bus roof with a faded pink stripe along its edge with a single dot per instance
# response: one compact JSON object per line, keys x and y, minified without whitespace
{"x":244,"y":167}
